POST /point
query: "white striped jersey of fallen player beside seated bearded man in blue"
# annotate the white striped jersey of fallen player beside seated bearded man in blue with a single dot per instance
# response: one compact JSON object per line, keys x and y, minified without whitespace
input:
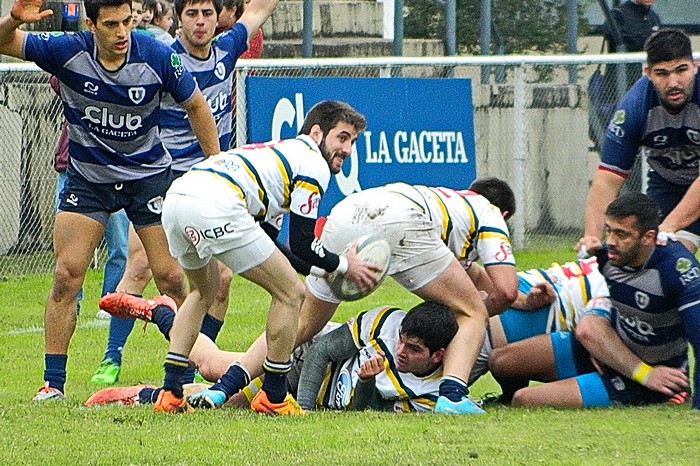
{"x":575,"y":283}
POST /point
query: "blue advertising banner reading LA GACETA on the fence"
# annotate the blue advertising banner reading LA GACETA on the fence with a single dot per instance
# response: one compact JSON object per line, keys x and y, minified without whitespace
{"x":419,"y":131}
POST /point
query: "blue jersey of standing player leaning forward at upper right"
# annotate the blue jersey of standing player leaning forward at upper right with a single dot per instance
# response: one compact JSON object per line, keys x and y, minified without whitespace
{"x":670,"y":142}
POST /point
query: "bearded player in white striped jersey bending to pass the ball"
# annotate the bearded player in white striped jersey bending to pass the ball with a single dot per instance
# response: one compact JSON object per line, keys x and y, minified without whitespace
{"x":215,"y":210}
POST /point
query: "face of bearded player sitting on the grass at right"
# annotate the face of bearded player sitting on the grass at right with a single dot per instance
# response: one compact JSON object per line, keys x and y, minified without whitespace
{"x":626,"y":244}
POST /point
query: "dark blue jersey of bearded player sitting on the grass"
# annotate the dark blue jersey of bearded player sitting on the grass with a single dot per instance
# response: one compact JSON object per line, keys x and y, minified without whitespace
{"x":656,"y":308}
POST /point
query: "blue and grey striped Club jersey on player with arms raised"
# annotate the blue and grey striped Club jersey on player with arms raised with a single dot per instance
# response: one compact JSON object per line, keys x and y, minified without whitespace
{"x":113,"y":116}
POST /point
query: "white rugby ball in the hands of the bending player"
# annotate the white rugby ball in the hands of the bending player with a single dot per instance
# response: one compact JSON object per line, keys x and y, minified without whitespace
{"x":372,"y":249}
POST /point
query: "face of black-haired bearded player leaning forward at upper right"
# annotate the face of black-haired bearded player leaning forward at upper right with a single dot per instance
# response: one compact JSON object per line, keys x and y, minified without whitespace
{"x":674,"y":81}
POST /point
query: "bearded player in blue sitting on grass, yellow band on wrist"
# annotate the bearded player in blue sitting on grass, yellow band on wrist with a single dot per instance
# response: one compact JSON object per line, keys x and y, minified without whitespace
{"x":631,"y":349}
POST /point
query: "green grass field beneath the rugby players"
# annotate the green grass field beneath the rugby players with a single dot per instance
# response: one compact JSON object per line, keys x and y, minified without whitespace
{"x":68,"y":433}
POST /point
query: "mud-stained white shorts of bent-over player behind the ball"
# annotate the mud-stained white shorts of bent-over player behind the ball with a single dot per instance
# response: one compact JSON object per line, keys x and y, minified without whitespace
{"x":418,"y":255}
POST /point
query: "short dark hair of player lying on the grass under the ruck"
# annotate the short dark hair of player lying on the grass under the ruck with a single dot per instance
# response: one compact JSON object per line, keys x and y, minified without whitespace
{"x":432,"y":322}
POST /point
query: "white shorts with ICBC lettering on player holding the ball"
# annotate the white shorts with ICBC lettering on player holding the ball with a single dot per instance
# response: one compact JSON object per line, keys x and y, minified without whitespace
{"x":204,"y":218}
